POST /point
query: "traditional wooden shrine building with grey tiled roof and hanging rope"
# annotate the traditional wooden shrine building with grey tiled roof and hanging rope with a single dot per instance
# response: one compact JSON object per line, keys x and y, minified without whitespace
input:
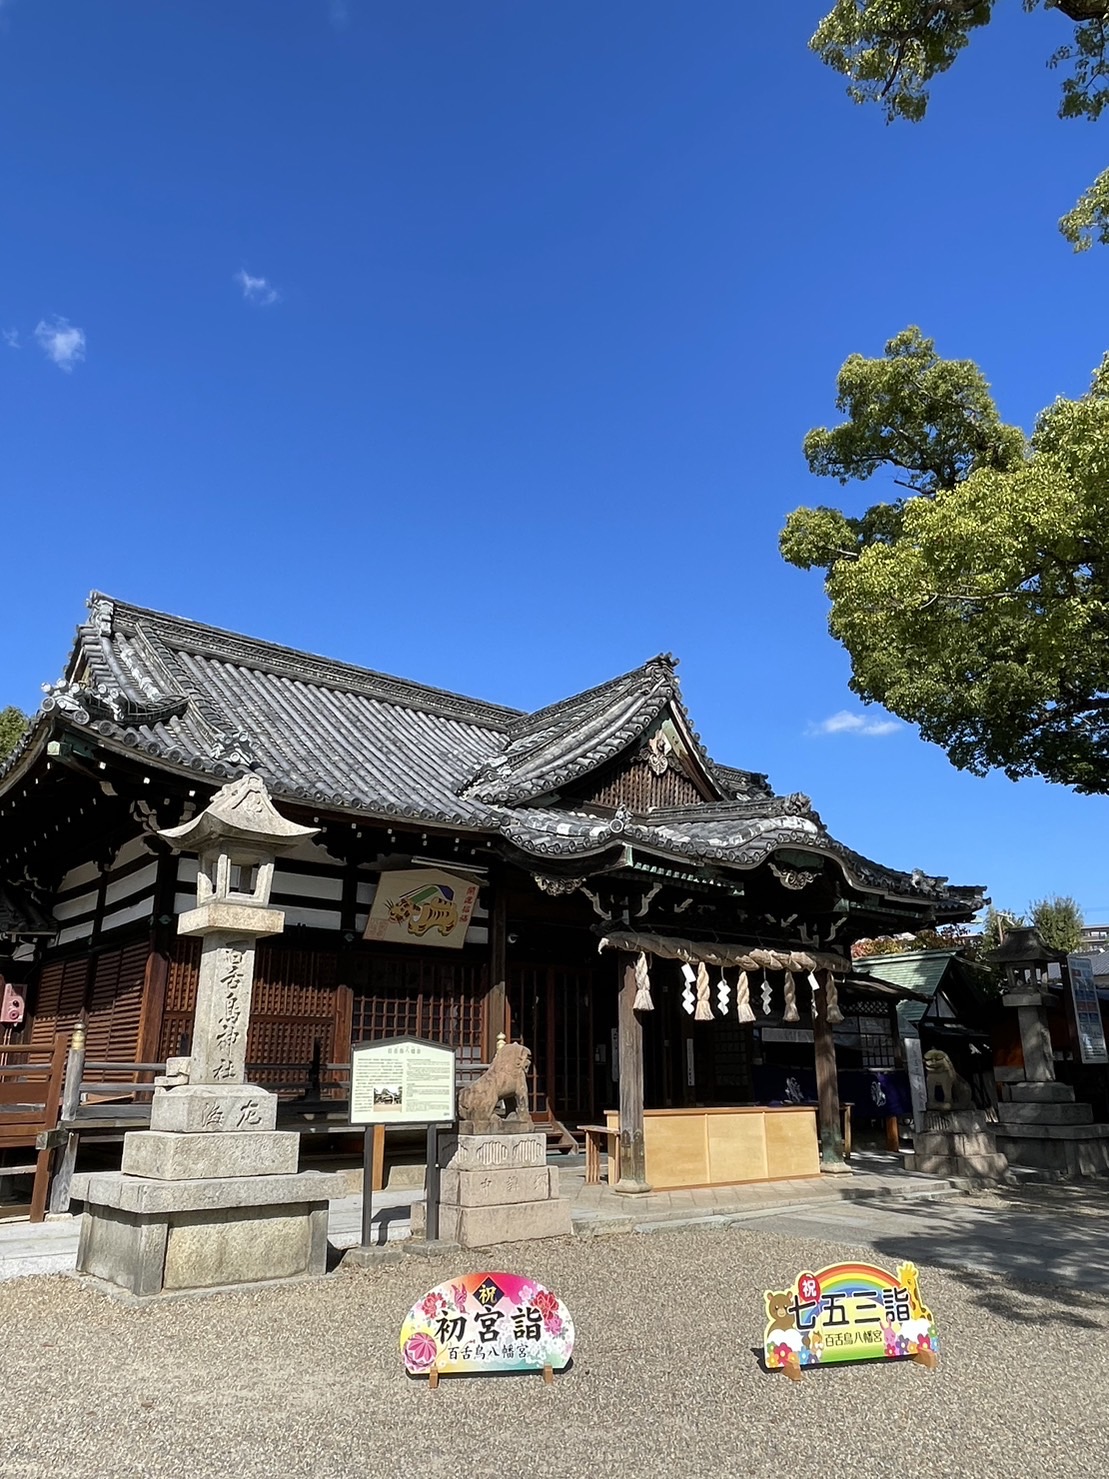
{"x":657,"y":927}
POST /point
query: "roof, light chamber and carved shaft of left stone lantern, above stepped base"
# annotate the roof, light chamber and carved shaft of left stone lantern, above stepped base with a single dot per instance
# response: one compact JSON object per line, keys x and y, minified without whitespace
{"x":237,"y":839}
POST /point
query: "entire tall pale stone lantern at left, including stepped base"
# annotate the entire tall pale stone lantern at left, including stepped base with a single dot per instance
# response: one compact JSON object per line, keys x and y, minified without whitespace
{"x":211,"y":1196}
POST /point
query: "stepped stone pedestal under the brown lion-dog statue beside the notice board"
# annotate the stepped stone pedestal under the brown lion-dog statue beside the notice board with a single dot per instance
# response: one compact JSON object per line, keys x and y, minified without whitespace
{"x":498,"y":1188}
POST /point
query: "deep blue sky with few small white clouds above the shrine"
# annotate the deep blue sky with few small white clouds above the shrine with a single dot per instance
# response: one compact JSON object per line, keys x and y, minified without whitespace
{"x":475,"y":341}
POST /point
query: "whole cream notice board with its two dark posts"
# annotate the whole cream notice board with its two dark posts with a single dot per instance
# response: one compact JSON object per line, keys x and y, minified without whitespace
{"x":401,"y":1080}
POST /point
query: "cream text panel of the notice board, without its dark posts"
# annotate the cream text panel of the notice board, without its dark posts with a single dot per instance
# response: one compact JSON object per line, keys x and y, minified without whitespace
{"x":403,"y":1080}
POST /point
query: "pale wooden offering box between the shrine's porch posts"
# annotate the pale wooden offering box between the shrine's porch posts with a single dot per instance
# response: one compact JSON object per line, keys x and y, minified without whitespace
{"x":724,"y":1147}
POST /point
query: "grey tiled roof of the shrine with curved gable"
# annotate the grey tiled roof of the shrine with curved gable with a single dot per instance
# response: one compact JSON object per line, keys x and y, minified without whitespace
{"x":212,"y":703}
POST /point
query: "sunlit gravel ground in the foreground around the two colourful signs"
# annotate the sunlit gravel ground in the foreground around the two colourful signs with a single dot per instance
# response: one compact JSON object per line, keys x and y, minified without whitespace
{"x":308,"y":1381}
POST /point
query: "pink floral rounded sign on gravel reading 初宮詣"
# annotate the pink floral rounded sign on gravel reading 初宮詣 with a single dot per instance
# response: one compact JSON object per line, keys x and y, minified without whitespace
{"x":486,"y":1323}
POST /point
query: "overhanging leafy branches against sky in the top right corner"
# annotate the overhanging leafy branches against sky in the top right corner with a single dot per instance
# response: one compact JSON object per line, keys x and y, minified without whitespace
{"x":891,"y":51}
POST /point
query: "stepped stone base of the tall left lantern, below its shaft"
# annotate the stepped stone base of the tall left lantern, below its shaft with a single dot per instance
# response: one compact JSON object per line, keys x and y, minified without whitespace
{"x":211,"y":1203}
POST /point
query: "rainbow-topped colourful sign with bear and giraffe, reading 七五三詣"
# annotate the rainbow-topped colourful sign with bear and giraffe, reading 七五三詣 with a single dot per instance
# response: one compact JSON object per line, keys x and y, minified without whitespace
{"x":848,"y":1313}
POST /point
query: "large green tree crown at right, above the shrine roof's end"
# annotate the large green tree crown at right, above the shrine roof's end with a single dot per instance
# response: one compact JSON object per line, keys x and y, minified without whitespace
{"x":975,"y":604}
